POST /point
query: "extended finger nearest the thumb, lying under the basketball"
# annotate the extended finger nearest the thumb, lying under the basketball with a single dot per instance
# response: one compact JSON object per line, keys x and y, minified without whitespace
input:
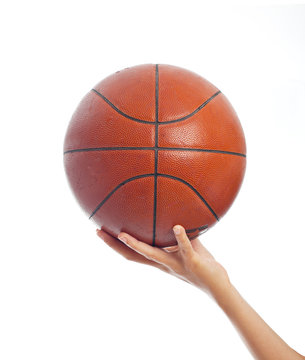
{"x":146,"y":250}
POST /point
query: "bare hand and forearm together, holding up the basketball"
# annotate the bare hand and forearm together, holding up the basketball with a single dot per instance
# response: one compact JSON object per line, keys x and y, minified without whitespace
{"x":190,"y":261}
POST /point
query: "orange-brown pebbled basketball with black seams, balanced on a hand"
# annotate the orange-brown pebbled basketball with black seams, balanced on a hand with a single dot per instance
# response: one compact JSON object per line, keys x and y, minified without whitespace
{"x":152,"y":146}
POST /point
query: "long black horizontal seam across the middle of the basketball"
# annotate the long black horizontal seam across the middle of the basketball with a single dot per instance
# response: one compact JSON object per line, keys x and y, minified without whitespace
{"x":154,"y":148}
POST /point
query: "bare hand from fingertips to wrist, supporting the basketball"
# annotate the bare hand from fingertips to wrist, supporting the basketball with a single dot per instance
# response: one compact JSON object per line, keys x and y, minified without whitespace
{"x":189,"y":260}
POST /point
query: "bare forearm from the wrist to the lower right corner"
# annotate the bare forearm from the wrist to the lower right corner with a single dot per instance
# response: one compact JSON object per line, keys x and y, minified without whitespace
{"x":262,"y":341}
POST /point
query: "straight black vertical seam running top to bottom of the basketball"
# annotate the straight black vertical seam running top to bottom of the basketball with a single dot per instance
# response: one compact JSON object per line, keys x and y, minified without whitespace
{"x":156,"y":151}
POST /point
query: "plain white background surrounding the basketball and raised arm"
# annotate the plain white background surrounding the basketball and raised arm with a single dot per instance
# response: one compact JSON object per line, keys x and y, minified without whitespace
{"x":64,"y":293}
